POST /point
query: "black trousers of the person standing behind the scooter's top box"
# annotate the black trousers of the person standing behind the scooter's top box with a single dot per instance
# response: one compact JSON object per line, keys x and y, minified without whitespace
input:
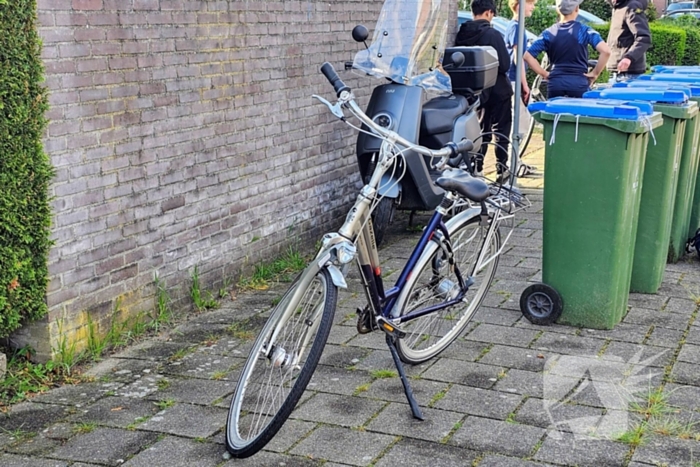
{"x":497,"y":117}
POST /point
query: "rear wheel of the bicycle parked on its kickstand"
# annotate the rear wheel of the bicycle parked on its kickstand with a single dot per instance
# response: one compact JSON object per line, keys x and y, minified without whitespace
{"x":429,"y":335}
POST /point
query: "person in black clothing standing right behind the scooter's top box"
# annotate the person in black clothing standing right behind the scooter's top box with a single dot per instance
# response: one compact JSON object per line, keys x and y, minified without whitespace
{"x":496,"y":102}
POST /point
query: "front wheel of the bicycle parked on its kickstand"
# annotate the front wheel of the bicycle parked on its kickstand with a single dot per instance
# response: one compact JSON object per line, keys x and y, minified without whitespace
{"x":247,"y":412}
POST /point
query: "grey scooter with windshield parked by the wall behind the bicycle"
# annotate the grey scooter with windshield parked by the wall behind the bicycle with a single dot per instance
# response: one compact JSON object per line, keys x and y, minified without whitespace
{"x":459,"y":74}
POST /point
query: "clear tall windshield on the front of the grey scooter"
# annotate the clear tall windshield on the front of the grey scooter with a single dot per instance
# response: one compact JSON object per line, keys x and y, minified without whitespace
{"x":408,"y":44}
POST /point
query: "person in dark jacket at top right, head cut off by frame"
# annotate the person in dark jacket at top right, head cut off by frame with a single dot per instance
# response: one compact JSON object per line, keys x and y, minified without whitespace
{"x":629,"y":37}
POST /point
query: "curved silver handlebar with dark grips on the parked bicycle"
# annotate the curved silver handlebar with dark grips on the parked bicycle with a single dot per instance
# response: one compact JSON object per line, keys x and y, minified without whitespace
{"x":451,"y":154}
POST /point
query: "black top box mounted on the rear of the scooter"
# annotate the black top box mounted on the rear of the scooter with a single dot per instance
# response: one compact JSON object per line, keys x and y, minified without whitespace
{"x":478,"y":72}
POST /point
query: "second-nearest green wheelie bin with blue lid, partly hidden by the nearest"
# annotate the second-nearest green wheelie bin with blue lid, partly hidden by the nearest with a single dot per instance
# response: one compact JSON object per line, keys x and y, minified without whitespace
{"x":660,"y":178}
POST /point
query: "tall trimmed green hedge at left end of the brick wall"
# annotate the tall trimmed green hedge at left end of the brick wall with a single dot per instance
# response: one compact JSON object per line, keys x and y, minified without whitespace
{"x":25,"y":170}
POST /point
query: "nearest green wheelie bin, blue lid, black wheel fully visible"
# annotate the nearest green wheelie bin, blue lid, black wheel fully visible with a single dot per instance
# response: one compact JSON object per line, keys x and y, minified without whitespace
{"x":594,"y":166}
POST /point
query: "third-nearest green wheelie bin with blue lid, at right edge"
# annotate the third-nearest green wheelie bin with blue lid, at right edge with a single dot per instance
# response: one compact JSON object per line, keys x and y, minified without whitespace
{"x":687,"y":171}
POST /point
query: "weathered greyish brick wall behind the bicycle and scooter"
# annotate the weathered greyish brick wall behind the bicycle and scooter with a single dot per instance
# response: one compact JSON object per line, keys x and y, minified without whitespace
{"x":184,"y":134}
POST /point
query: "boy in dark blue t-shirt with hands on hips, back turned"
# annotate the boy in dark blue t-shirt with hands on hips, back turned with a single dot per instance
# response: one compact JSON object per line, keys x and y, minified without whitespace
{"x":566,"y":44}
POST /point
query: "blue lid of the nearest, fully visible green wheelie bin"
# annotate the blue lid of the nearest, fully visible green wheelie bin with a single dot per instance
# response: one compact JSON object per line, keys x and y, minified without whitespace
{"x":602,"y":108}
